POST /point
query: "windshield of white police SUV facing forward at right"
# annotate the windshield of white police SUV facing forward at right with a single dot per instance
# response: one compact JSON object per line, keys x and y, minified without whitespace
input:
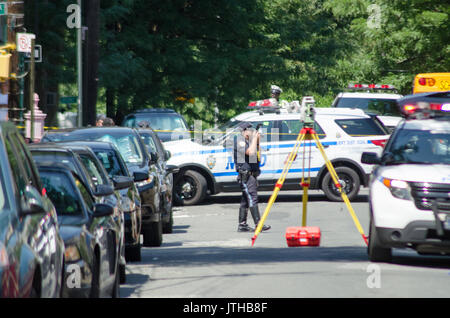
{"x":421,"y":147}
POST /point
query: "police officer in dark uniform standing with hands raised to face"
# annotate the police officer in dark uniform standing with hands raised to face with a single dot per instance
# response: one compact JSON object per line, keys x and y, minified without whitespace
{"x":247,"y":165}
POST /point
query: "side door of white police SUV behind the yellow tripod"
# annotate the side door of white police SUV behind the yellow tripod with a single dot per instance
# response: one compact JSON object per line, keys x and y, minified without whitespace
{"x":289,"y":130}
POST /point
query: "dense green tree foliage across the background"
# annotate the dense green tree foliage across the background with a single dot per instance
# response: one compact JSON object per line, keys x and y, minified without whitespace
{"x":229,"y":52}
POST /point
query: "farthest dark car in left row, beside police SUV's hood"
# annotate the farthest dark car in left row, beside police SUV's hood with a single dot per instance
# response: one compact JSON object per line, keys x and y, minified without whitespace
{"x":167,"y":123}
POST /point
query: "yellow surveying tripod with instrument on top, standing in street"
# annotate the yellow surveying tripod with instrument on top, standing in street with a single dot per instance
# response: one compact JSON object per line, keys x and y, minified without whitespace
{"x":307,"y":133}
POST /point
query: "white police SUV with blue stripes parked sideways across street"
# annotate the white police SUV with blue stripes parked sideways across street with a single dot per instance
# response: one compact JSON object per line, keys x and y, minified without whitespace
{"x":207,"y":167}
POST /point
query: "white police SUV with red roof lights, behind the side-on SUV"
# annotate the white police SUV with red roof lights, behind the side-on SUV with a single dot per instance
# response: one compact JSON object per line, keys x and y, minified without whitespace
{"x":376,"y":99}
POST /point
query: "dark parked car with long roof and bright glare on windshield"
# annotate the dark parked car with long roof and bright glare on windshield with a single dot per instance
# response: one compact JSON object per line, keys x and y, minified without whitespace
{"x":139,"y":162}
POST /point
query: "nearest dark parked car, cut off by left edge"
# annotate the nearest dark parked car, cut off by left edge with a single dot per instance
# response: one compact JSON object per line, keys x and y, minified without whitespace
{"x":31,"y":248}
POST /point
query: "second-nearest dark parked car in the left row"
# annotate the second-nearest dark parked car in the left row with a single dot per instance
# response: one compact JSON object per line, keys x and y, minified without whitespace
{"x":91,"y":262}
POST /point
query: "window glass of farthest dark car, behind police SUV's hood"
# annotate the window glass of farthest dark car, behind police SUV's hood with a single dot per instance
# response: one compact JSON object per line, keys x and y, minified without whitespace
{"x":159,"y":122}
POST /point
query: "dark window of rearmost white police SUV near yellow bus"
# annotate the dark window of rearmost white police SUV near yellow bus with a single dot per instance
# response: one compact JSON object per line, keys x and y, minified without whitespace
{"x":375,"y":105}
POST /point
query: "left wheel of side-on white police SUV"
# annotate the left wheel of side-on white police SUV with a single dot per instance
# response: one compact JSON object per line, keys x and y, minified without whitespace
{"x":191,"y":188}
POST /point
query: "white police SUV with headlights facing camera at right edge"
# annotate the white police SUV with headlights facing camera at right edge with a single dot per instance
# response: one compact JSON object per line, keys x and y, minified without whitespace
{"x":410,"y":188}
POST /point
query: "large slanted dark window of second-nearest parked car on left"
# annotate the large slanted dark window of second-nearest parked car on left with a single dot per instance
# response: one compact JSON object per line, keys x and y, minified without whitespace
{"x":61,"y":192}
